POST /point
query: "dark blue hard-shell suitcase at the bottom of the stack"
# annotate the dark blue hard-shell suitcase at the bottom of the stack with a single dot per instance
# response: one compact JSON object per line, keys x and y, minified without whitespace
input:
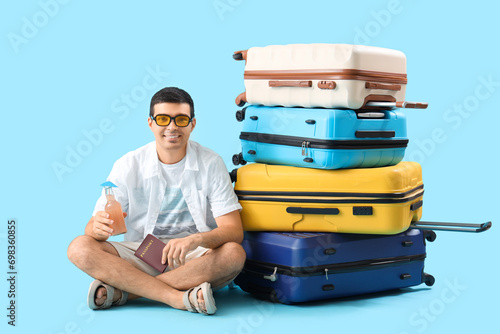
{"x":299,"y":267}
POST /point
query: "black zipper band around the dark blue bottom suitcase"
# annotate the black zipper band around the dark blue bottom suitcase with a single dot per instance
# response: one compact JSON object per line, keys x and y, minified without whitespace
{"x":329,"y":269}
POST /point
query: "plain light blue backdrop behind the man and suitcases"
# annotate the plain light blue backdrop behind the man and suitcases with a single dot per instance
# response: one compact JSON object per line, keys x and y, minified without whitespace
{"x":70,"y":67}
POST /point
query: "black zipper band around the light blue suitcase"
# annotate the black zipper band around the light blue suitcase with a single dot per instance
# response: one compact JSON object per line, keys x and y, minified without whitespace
{"x":338,"y":144}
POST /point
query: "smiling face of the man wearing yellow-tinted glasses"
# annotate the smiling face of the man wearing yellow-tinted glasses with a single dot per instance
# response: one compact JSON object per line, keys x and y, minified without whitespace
{"x":171,"y":137}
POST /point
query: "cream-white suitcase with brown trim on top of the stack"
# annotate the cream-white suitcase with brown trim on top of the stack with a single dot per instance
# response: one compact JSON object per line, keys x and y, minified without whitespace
{"x":324,"y":75}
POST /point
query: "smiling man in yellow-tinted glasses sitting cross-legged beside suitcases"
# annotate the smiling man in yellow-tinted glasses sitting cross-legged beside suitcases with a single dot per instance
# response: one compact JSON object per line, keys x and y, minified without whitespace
{"x":180,"y":192}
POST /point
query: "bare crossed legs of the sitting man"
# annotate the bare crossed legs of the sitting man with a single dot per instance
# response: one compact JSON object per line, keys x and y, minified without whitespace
{"x":101,"y":260}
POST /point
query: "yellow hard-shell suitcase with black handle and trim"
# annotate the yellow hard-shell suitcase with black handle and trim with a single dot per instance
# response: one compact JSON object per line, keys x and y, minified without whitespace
{"x":382,"y":200}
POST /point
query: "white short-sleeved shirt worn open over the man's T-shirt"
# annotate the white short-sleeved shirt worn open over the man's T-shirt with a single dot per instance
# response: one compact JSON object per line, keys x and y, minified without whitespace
{"x":205,"y":185}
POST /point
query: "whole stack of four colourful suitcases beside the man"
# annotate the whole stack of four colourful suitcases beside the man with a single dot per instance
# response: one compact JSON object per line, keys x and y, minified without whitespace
{"x":329,"y":207}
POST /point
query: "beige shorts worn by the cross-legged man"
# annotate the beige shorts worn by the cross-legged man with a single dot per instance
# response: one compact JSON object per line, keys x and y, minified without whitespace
{"x":126,"y":250}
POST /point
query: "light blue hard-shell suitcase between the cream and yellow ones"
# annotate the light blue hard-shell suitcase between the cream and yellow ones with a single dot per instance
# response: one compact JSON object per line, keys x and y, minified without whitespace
{"x":321,"y":138}
